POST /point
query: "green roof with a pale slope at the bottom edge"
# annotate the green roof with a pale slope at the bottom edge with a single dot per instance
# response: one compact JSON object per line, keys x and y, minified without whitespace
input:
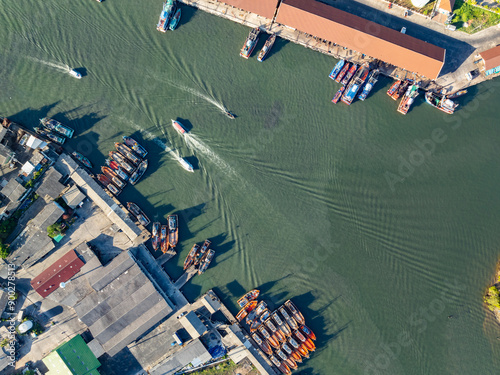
{"x":72,"y":358}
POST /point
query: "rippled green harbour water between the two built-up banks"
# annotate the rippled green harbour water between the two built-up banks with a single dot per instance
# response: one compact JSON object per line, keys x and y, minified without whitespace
{"x":294,"y":192}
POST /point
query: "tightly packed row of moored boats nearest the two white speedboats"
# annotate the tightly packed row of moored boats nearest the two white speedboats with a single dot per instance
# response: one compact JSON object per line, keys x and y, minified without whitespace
{"x":125,"y":165}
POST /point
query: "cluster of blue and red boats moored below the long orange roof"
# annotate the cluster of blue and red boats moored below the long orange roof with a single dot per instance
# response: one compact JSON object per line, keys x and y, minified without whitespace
{"x":354,"y":80}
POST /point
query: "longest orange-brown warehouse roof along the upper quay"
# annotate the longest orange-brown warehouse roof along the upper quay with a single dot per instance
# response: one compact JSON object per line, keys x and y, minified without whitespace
{"x":362,"y":35}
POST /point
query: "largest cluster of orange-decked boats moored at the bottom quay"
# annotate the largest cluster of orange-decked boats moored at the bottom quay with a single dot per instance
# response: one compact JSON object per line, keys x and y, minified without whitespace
{"x":281,"y":334}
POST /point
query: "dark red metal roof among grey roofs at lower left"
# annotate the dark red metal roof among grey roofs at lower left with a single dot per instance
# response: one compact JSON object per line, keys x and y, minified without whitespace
{"x":61,"y":271}
